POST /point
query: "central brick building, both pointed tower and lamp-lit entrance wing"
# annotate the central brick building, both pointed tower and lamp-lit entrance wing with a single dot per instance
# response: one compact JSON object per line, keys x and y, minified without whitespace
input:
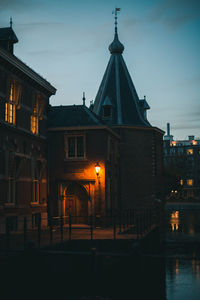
{"x":113,"y":132}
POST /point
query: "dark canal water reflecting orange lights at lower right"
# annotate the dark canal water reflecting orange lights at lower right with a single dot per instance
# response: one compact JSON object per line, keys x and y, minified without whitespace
{"x":182,"y":253}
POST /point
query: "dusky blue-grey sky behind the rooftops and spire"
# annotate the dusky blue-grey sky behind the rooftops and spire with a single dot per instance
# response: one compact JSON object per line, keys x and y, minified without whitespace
{"x":66,"y":42}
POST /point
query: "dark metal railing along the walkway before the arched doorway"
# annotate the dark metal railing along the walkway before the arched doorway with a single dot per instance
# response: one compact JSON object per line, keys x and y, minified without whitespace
{"x":128,"y":224}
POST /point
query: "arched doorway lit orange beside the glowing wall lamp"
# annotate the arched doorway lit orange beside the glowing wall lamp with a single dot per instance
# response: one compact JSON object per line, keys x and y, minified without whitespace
{"x":76,"y":201}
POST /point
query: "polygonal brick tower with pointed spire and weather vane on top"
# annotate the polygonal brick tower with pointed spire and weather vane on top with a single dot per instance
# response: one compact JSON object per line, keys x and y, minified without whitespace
{"x":118,"y":104}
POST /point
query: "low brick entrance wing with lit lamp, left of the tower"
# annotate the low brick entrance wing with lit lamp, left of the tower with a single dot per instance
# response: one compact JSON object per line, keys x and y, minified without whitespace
{"x":78,"y":142}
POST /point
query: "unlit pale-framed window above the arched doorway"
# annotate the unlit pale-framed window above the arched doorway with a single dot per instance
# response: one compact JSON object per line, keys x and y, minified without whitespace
{"x":75,"y":147}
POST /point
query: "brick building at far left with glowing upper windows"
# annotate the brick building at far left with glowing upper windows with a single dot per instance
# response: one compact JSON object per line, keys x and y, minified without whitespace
{"x":24,"y":100}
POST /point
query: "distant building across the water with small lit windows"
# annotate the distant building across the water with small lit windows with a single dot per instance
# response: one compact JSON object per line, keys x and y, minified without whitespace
{"x":182,"y":168}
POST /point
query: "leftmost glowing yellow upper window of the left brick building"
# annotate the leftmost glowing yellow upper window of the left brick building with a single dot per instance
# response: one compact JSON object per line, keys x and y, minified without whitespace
{"x":13,"y":102}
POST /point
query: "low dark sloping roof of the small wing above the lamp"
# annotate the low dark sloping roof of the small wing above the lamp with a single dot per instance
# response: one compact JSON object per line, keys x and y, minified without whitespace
{"x":72,"y":116}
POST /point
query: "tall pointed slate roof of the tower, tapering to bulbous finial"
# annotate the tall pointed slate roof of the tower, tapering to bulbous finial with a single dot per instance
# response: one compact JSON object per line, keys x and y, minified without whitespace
{"x":117,"y":85}
